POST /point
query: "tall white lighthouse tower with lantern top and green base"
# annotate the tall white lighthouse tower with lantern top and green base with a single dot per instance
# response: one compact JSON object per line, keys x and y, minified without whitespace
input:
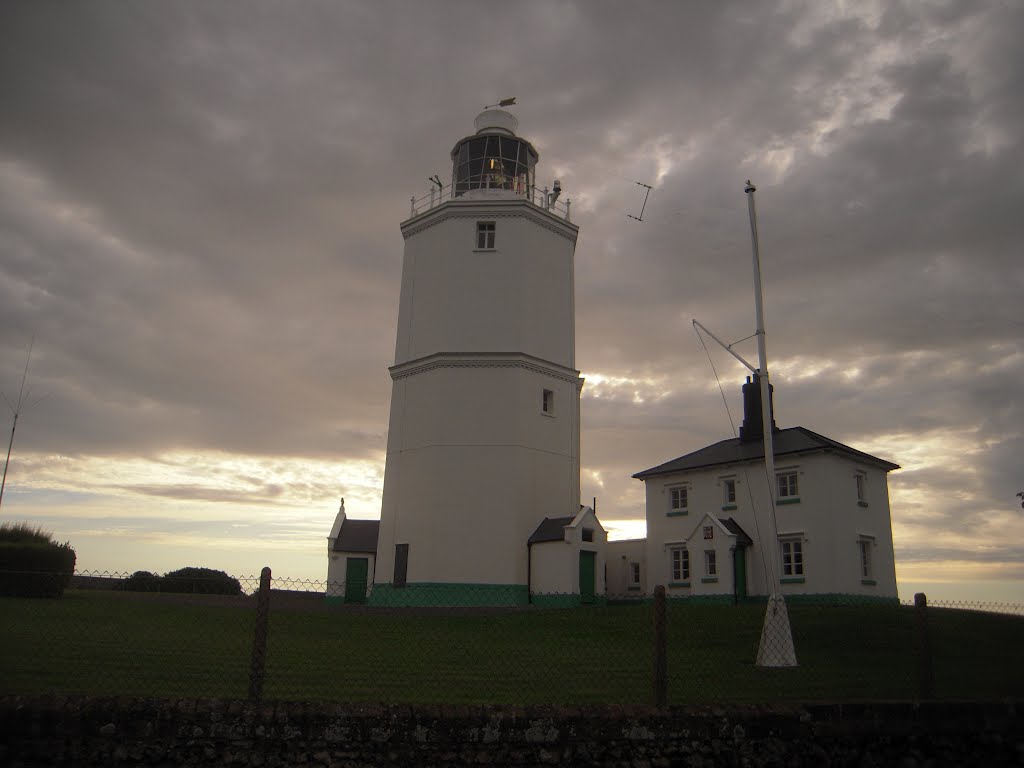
{"x":485,"y":426}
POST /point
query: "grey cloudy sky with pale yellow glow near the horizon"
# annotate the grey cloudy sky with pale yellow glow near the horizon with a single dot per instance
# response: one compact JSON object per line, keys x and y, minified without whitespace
{"x":199,"y":226}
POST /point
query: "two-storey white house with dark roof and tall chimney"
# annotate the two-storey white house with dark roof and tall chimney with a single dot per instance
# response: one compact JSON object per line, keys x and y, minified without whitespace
{"x":835,"y":531}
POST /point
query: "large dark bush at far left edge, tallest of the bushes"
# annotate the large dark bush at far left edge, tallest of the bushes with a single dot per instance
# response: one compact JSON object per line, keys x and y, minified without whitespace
{"x":32,"y":565}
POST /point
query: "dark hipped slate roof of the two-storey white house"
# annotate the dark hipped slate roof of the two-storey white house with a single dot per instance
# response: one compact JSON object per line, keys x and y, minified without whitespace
{"x":791,"y":442}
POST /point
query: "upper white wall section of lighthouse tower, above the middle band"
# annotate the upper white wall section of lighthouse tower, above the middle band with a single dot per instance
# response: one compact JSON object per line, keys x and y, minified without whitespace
{"x":519,"y":297}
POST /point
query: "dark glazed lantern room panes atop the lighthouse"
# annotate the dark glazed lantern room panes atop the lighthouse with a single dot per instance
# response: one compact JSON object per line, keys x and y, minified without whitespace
{"x":494,"y":162}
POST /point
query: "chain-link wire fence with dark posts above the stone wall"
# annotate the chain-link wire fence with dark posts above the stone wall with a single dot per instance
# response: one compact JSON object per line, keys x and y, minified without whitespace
{"x":300,"y":641}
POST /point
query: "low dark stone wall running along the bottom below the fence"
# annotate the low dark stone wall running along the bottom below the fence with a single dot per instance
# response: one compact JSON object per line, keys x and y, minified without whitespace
{"x":88,"y":732}
